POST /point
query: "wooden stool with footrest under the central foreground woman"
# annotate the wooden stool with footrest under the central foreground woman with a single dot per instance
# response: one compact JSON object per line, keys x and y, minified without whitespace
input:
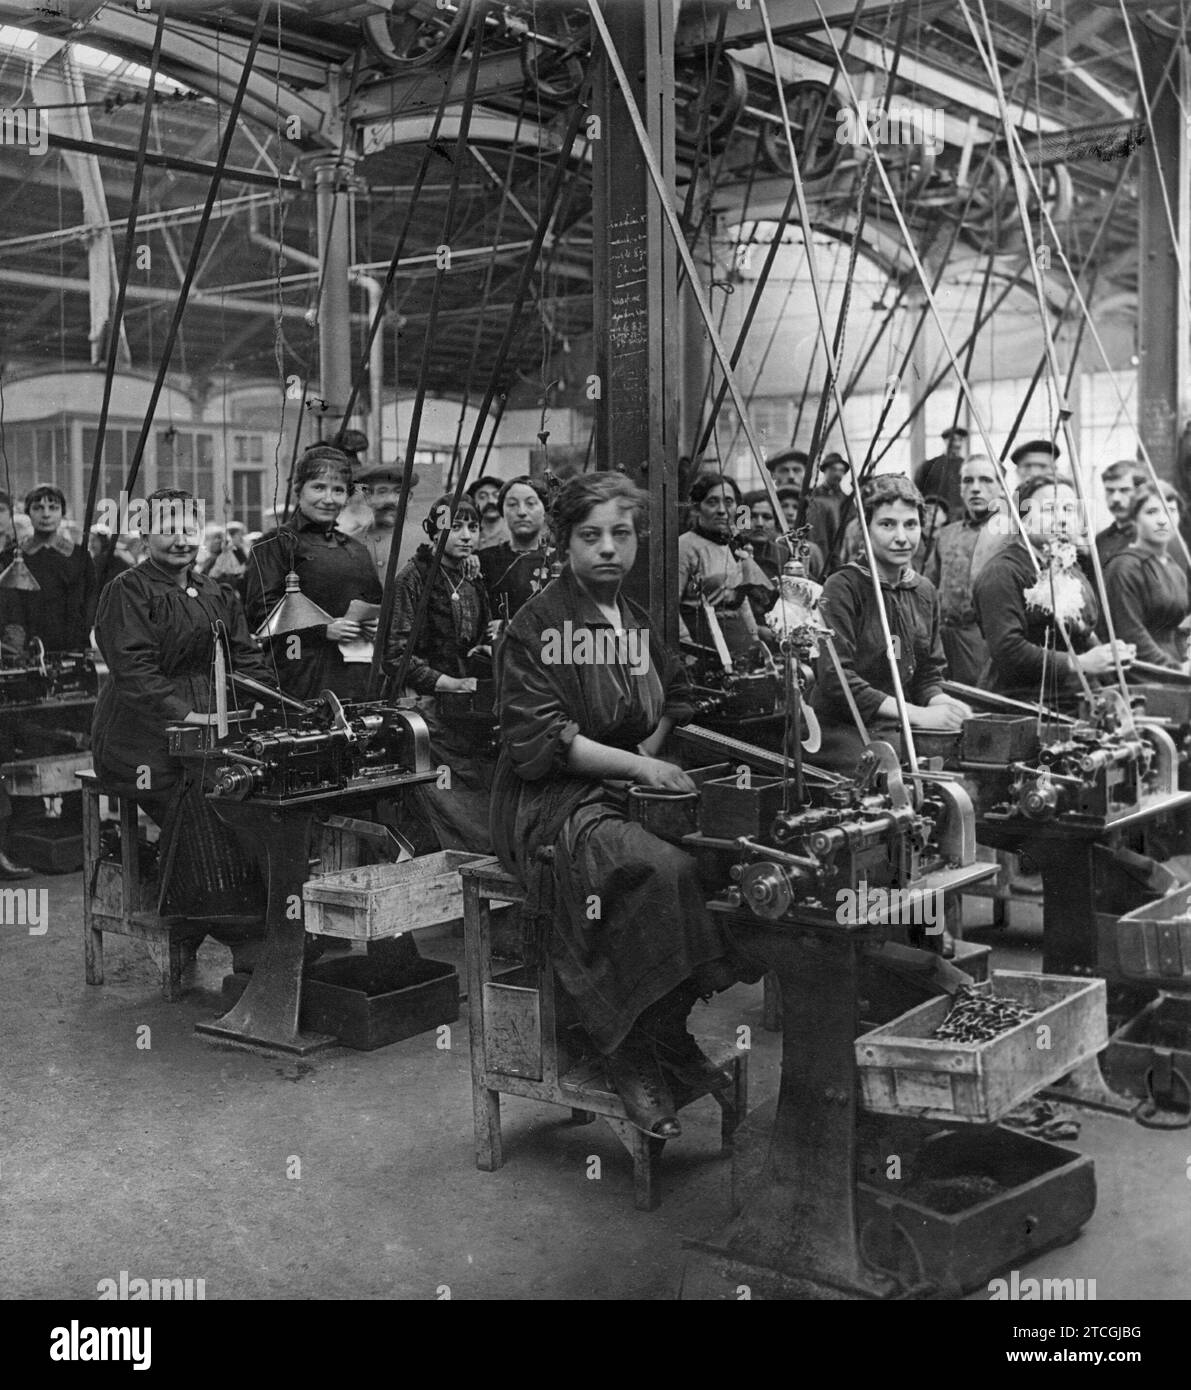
{"x":519,"y":1047}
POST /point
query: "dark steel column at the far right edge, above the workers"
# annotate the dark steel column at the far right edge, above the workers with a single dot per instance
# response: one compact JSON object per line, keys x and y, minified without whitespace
{"x":1163,"y":320}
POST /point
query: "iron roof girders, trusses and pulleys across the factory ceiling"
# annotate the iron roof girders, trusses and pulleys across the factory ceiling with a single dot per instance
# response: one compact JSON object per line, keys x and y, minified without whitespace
{"x":383,"y":67}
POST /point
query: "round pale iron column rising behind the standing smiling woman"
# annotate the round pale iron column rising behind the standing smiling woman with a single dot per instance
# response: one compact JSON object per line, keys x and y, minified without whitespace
{"x":333,"y":191}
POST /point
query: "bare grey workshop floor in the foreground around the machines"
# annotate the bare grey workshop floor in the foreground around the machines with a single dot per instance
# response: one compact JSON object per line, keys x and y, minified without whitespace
{"x":183,"y":1160}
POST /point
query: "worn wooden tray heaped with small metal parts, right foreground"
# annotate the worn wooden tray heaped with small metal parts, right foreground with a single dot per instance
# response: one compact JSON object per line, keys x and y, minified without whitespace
{"x":904,"y":1071}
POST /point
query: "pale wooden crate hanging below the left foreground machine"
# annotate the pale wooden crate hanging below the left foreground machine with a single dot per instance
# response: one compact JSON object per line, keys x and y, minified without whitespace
{"x":387,"y":900}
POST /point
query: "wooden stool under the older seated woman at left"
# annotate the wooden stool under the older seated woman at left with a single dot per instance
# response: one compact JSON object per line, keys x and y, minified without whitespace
{"x":117,"y":901}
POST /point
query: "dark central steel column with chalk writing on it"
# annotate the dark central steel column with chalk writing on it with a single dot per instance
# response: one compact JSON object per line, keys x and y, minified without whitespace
{"x":636,"y":301}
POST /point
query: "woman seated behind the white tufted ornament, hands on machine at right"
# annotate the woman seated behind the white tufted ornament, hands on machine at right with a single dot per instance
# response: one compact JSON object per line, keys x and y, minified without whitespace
{"x":1042,"y":628}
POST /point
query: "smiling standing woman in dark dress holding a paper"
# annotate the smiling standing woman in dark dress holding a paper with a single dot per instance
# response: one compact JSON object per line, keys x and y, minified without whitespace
{"x":333,"y":571}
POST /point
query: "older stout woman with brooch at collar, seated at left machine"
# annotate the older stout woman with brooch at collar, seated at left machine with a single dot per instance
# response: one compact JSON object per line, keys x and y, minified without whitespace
{"x":158,"y":630}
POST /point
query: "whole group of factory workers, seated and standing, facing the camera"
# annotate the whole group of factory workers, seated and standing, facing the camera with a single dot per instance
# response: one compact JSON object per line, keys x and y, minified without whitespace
{"x":495,"y":583}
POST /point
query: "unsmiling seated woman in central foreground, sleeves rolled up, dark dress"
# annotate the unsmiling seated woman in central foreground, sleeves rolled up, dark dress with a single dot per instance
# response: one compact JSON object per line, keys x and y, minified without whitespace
{"x":627,"y":929}
